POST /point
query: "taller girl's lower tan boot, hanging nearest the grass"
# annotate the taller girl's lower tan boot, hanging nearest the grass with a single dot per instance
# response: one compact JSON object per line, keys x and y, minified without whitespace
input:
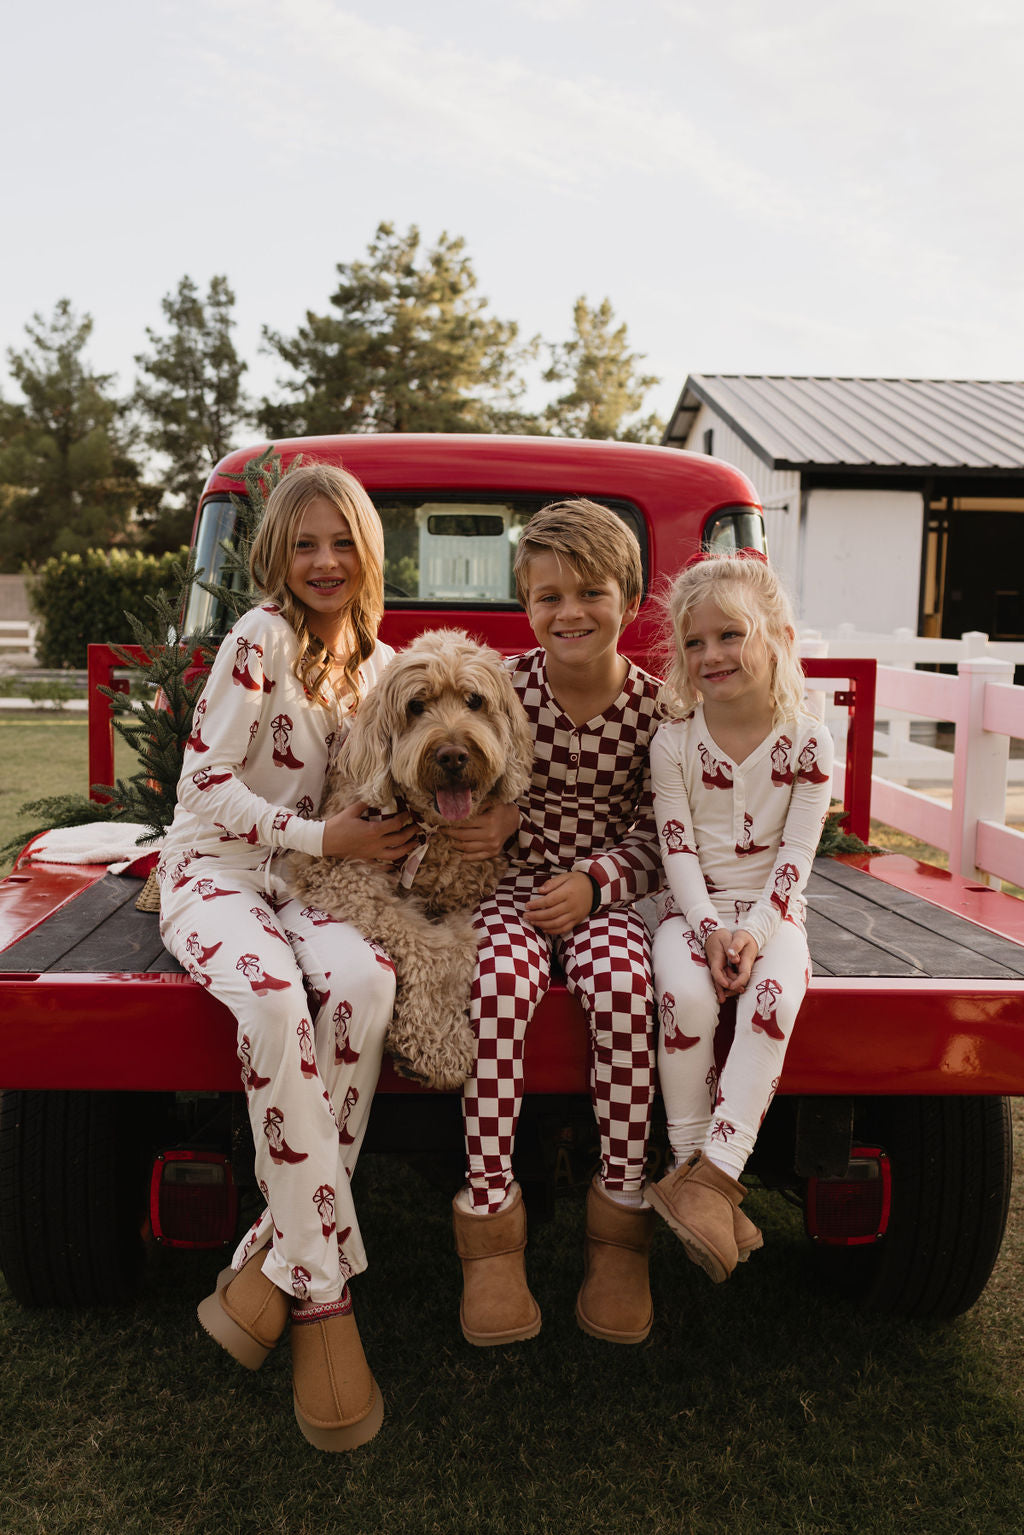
{"x":337,"y":1399}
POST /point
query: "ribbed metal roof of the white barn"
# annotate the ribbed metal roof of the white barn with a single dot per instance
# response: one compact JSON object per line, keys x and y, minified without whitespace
{"x":871,"y":424}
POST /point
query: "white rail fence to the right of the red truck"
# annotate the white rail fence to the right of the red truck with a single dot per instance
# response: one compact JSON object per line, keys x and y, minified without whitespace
{"x":966,"y":813}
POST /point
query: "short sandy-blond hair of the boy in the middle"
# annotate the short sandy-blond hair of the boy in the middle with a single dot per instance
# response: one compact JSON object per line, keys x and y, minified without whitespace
{"x":590,"y":538}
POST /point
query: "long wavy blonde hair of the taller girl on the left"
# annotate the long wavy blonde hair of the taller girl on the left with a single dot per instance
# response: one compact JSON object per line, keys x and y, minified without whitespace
{"x":325,"y":676}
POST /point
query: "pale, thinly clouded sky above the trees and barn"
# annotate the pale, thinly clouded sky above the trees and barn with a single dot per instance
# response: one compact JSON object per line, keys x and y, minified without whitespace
{"x":759,"y":187}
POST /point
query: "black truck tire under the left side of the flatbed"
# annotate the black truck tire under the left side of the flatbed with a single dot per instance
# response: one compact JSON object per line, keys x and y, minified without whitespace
{"x":73,"y":1197}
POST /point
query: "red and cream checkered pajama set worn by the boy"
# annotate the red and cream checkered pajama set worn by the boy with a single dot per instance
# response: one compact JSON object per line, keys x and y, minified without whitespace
{"x":589,"y":808}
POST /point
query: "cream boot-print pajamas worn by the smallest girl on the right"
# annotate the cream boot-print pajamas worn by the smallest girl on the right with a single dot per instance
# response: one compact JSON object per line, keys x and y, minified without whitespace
{"x":739,"y":840}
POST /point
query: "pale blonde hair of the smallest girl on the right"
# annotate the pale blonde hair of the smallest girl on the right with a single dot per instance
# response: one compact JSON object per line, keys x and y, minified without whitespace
{"x":750,"y":593}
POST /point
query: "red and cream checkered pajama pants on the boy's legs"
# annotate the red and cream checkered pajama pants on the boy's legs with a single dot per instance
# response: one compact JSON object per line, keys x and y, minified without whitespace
{"x":609,"y":969}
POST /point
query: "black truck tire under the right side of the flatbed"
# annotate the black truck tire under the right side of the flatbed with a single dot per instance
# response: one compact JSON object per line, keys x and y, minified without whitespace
{"x":951,"y":1186}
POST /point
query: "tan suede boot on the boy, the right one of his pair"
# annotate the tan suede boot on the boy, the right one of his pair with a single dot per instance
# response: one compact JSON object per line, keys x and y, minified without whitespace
{"x":615,"y":1301}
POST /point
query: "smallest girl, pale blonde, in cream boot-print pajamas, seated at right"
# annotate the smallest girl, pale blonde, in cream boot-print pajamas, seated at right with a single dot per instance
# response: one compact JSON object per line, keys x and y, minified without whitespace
{"x":741,"y":776}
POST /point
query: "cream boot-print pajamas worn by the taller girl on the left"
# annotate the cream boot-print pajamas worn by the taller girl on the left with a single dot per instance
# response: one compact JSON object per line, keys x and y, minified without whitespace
{"x":311,"y":997}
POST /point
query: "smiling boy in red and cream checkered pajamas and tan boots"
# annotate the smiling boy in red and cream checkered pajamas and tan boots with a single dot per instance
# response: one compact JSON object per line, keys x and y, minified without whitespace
{"x":586,"y":851}
